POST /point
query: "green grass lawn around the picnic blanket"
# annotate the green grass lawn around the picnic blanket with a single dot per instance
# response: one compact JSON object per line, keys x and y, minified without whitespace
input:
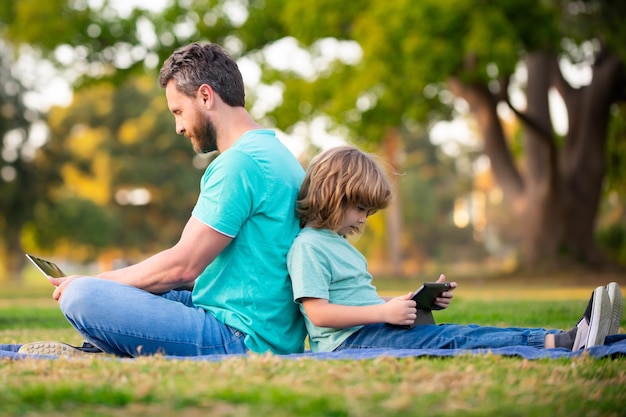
{"x":266,"y":385}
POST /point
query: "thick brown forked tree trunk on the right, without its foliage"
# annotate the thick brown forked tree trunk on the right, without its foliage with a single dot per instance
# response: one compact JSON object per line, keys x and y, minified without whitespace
{"x":557,"y":194}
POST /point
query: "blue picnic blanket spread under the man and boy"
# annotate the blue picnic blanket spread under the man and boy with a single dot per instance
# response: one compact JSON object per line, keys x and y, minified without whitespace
{"x":614,"y":347}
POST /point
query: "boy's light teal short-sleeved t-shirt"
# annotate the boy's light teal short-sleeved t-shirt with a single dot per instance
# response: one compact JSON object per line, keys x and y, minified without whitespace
{"x":322,"y":264}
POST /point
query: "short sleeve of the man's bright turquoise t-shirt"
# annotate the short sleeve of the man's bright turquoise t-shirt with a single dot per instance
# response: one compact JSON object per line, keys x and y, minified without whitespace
{"x":230,"y":189}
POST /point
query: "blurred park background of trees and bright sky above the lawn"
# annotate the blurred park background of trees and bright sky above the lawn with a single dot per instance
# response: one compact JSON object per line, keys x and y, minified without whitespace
{"x":502,"y":123}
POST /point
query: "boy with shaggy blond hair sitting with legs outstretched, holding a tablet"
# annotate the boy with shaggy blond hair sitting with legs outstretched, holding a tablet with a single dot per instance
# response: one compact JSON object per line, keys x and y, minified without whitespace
{"x":341,"y":188}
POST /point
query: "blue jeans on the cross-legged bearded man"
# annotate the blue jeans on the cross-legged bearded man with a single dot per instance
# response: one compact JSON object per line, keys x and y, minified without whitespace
{"x":127,"y":321}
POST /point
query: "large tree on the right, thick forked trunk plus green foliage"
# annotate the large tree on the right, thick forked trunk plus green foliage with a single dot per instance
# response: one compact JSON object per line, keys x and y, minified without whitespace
{"x":415,"y":54}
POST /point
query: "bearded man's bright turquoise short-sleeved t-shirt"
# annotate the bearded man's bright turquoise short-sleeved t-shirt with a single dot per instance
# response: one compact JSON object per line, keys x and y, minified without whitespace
{"x":249,"y":193}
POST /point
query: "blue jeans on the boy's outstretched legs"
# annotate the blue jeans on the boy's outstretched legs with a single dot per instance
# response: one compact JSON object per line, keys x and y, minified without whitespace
{"x":445,"y":336}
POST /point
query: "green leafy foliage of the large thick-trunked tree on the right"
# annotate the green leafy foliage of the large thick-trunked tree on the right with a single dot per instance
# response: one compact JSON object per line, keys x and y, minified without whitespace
{"x":412,"y":50}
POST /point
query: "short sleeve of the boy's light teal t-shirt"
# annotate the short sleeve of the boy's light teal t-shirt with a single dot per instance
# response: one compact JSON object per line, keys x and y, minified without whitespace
{"x":309,"y":272}
